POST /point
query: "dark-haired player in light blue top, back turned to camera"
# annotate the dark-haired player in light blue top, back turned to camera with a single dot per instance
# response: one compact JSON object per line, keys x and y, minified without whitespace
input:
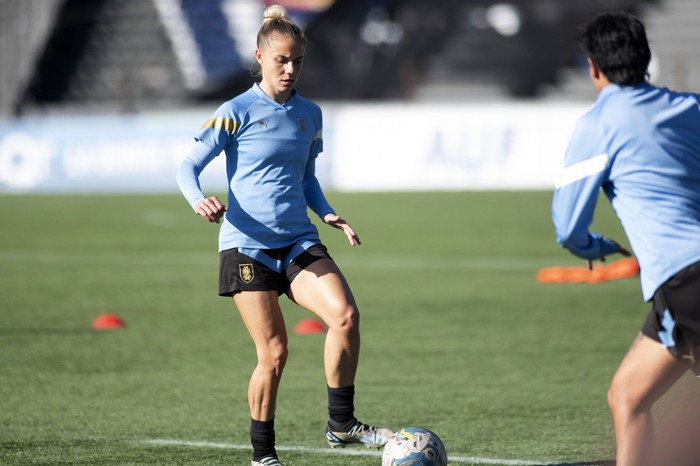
{"x":641,"y":145}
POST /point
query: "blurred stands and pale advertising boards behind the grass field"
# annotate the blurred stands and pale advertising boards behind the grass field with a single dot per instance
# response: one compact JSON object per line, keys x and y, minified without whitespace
{"x":105,"y":95}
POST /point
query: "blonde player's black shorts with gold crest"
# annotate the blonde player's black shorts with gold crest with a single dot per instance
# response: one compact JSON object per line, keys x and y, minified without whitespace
{"x":240,"y":272}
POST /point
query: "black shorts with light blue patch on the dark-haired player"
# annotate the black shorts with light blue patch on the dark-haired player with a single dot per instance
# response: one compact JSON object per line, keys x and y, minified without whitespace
{"x":674,"y":320}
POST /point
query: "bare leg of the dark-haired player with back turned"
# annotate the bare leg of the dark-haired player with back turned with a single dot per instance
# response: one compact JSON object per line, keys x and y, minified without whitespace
{"x":645,"y":374}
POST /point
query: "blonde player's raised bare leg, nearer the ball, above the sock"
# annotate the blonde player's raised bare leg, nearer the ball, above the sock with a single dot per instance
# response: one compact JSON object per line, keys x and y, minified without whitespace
{"x":322,"y":289}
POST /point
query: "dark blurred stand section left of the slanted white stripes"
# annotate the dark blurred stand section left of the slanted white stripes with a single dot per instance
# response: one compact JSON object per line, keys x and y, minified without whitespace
{"x":105,"y":55}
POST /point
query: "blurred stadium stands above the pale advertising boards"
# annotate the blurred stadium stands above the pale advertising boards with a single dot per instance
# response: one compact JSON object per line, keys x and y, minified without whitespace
{"x":129,"y":55}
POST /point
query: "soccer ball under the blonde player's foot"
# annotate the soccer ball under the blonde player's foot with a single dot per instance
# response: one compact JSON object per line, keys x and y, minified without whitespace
{"x":414,"y":446}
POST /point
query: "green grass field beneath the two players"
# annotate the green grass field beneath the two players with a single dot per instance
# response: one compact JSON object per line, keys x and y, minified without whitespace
{"x":458,"y":336}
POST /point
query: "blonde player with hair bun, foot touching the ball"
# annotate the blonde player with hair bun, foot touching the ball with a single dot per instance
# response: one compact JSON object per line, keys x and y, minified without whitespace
{"x":267,"y":244}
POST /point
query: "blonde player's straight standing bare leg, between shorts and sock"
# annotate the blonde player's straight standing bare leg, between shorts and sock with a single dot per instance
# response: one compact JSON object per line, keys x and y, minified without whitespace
{"x":263,"y":318}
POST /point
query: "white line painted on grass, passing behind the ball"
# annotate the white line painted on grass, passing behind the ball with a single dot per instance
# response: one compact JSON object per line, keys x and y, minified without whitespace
{"x":346,"y":452}
